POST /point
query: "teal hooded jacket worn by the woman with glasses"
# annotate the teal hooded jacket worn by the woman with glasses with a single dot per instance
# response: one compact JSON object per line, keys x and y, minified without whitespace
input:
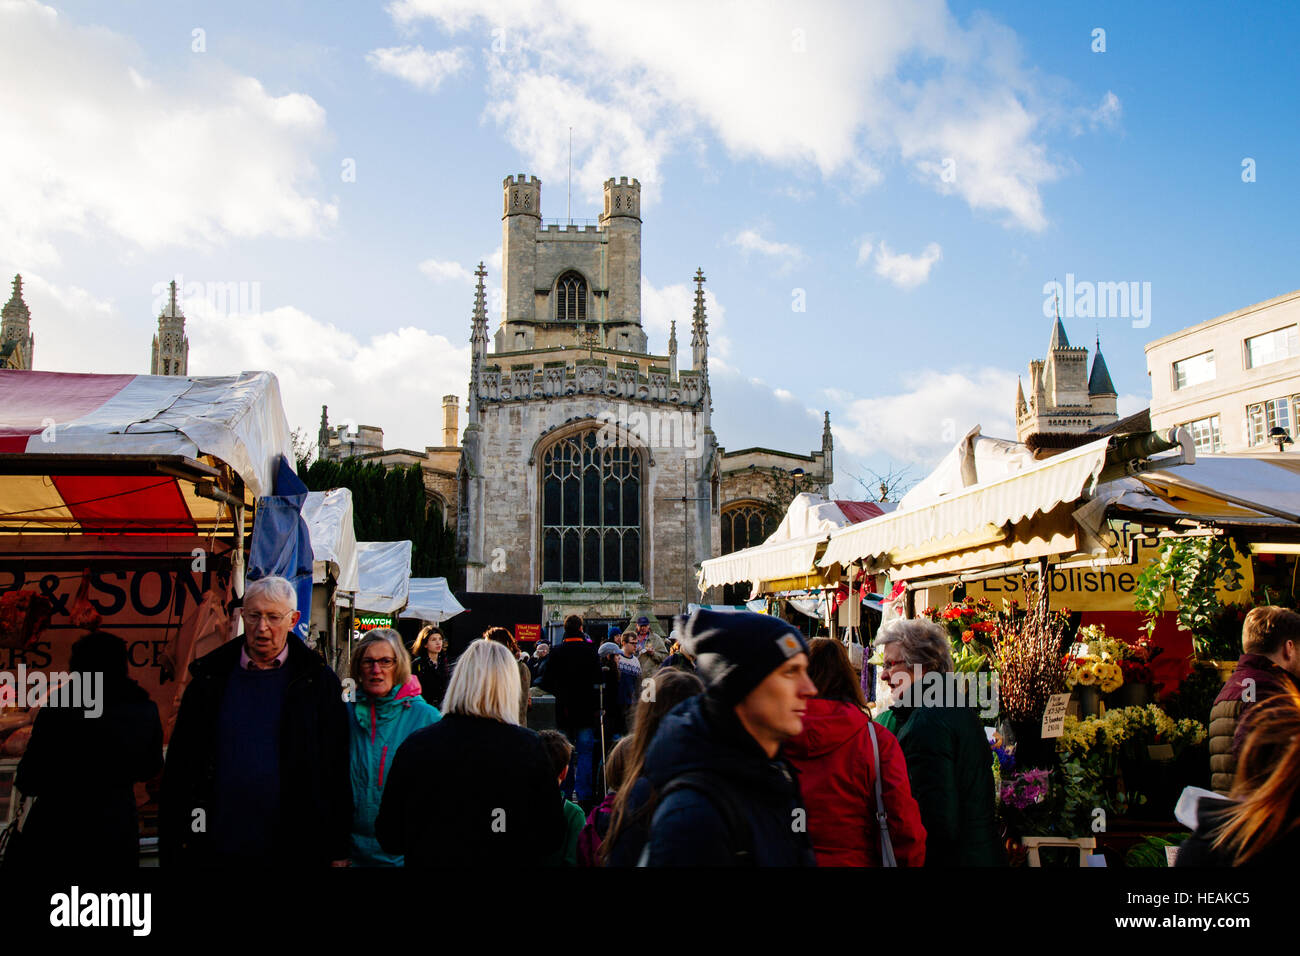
{"x":379,"y":728}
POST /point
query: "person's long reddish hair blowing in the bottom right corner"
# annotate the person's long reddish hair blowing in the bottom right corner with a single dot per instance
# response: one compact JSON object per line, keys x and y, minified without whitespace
{"x":1260,"y":824}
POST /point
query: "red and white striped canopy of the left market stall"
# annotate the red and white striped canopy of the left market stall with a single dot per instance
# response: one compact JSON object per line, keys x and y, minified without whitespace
{"x":115,"y":445}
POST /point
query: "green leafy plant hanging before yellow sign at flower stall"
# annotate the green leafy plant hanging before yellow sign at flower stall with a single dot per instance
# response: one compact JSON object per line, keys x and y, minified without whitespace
{"x":1194,"y":569}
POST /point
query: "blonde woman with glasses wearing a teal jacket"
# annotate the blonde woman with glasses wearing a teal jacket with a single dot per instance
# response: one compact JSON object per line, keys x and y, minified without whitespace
{"x":388,"y":710}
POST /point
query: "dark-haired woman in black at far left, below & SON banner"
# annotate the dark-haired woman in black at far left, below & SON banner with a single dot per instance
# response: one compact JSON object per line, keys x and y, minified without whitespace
{"x":83,"y":765}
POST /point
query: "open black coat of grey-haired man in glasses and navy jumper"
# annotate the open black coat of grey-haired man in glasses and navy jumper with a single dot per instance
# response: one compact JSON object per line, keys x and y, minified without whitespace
{"x":317,"y":801}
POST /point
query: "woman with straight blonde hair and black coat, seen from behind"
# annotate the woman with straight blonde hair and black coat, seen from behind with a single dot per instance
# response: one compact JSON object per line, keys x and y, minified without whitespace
{"x":475,"y":789}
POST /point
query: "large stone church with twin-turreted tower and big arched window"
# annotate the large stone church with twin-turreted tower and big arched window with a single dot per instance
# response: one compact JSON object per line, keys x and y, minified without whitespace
{"x":590,"y":470}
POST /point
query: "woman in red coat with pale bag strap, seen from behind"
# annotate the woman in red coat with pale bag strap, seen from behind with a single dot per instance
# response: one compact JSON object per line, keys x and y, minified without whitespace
{"x":837,"y":767}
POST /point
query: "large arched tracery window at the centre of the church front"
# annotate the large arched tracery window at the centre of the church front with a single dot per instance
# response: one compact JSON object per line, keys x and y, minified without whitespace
{"x":591,"y":513}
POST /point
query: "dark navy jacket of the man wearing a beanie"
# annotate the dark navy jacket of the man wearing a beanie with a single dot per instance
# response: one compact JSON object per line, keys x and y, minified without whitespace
{"x":688,"y":829}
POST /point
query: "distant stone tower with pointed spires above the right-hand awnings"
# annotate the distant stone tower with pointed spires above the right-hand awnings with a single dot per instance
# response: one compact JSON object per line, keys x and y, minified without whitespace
{"x":1064,"y":397}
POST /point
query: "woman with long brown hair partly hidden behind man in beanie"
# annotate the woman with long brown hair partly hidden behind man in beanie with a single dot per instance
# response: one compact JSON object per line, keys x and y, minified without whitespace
{"x":634,"y":807}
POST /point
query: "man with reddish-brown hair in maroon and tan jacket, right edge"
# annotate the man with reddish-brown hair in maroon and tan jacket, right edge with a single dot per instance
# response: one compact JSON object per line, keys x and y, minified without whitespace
{"x":1271,"y":641}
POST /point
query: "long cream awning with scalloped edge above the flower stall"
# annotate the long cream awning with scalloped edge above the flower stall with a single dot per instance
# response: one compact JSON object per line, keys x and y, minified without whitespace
{"x":972,"y":516}
